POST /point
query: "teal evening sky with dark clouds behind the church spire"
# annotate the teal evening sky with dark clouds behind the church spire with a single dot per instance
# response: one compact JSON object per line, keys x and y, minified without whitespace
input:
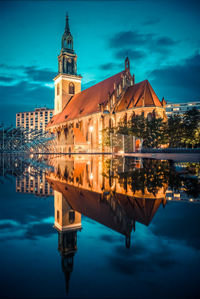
{"x":161,"y":39}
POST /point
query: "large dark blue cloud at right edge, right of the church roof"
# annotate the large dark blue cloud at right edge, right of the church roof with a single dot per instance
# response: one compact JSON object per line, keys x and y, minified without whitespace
{"x":180,"y":81}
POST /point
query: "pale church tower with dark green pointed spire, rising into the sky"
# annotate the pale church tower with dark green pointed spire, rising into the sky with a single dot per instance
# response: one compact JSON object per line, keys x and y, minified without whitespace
{"x":67,"y":82}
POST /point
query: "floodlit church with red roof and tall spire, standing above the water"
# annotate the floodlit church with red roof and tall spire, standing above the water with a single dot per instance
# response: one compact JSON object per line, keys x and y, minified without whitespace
{"x":81,"y":116}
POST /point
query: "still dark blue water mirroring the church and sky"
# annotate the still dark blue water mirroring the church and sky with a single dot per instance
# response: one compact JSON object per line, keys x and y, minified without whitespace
{"x":96,"y":227}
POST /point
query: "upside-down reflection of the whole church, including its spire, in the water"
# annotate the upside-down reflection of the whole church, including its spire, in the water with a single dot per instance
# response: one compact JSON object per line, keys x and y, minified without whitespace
{"x":85,"y":185}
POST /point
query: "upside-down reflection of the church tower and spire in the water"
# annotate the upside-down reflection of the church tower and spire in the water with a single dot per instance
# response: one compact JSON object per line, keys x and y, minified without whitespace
{"x":67,"y":222}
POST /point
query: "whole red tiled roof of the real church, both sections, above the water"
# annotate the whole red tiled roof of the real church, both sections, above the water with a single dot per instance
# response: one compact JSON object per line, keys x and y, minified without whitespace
{"x":87,"y":101}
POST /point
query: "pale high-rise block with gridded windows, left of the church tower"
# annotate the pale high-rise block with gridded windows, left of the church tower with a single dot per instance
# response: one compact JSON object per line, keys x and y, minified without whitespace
{"x":37,"y":119}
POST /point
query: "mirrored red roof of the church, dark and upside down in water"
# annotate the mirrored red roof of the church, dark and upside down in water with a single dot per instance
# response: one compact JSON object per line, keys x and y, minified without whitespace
{"x":87,"y":203}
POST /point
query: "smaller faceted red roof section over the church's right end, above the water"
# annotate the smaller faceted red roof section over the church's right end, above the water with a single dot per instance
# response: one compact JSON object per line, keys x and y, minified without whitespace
{"x":139,"y":95}
